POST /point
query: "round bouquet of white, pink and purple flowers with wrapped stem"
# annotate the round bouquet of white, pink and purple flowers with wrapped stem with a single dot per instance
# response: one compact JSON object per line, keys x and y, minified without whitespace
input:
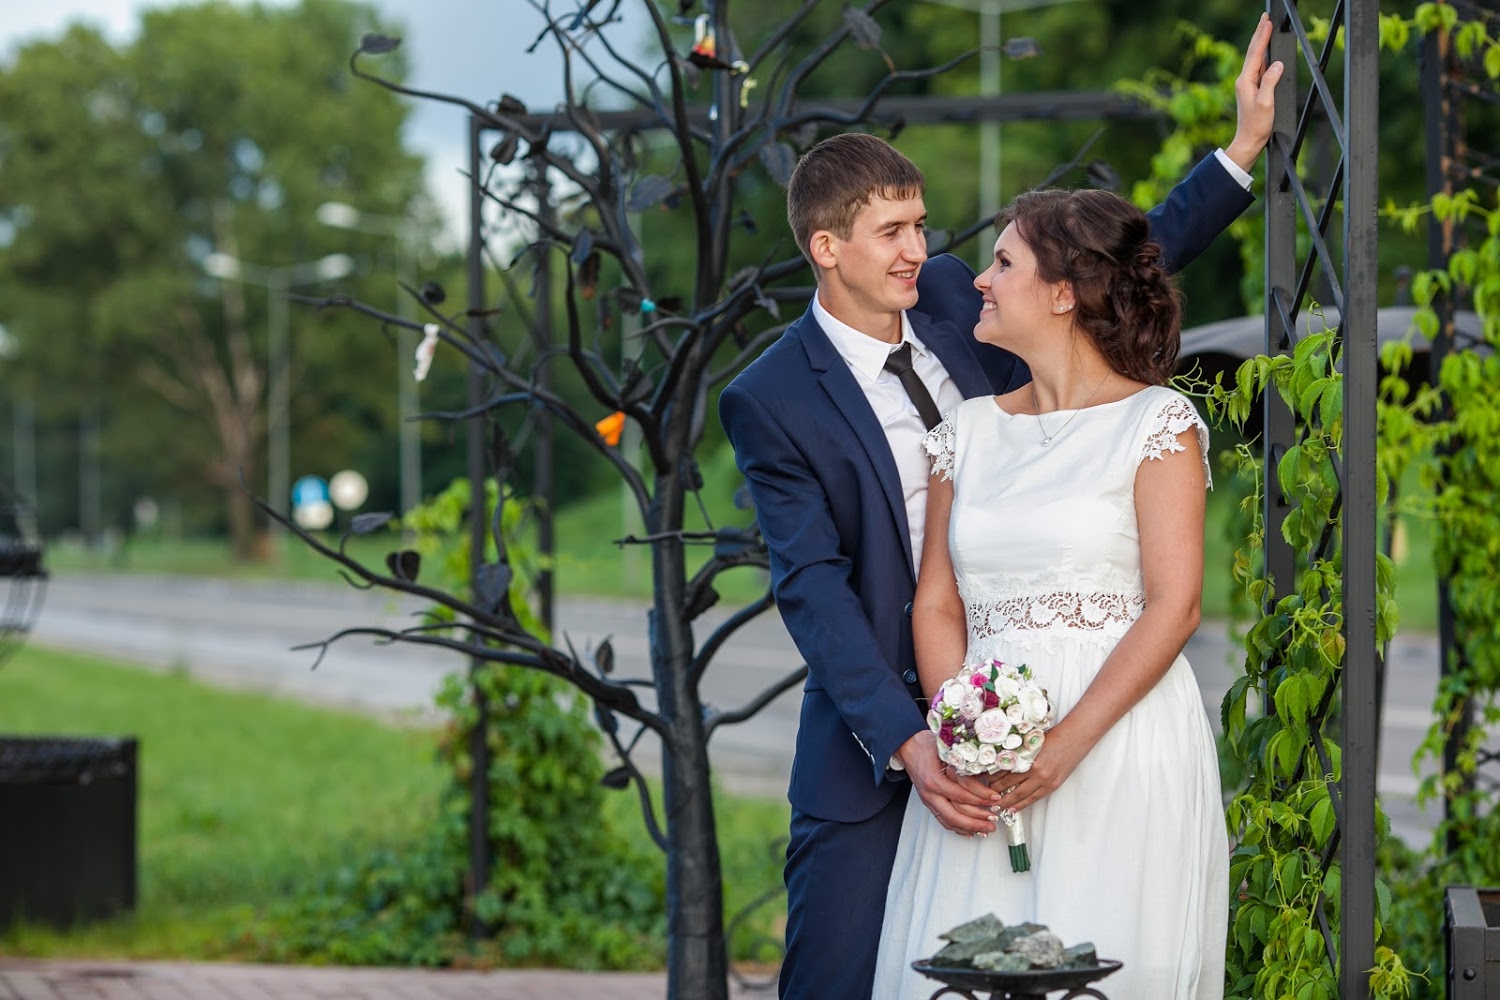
{"x":989,"y":719}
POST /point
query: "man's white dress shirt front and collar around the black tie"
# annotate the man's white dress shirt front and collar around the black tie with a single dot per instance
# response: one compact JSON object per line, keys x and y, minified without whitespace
{"x":895,"y":409}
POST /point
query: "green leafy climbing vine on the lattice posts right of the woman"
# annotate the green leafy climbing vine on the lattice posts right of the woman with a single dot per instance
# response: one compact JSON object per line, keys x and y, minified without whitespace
{"x":1442,"y":443}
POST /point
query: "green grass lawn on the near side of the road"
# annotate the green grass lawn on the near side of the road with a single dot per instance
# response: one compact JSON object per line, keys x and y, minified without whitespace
{"x":244,"y":798}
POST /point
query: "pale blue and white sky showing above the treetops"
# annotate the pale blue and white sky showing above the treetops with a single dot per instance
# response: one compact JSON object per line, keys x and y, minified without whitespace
{"x":472,"y":49}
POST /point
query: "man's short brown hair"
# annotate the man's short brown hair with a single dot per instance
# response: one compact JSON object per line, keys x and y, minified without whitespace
{"x":839,"y":178}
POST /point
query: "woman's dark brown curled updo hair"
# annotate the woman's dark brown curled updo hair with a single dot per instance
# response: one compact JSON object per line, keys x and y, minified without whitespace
{"x":1124,"y":298}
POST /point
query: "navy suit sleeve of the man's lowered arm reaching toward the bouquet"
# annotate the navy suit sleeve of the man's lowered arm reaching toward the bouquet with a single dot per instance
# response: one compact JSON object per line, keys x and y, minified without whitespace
{"x":812,"y":581}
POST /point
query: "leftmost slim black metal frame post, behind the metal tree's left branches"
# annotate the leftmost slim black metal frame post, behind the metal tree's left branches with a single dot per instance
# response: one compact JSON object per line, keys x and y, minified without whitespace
{"x":479,"y":740}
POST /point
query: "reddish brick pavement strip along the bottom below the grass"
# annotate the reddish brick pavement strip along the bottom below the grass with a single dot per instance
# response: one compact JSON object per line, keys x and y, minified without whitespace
{"x":37,"y":980}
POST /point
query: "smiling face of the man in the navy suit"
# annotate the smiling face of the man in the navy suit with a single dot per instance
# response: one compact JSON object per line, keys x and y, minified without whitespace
{"x":871,"y":277}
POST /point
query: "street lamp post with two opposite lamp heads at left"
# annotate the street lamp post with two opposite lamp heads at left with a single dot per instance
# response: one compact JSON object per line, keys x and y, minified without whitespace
{"x":278,"y":283}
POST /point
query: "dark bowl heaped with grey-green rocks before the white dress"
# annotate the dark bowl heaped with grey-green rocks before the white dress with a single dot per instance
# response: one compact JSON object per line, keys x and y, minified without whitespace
{"x":1021,"y":960}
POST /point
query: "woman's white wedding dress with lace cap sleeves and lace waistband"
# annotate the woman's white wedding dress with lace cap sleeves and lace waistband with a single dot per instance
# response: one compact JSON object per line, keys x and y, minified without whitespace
{"x":1132,"y":852}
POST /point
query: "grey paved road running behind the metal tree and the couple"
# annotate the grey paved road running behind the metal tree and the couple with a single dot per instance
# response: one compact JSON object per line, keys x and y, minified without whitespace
{"x":242,"y":635}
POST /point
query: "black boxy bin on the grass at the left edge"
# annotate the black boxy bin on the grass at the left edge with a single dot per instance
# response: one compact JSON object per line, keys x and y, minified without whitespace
{"x":67,"y":828}
